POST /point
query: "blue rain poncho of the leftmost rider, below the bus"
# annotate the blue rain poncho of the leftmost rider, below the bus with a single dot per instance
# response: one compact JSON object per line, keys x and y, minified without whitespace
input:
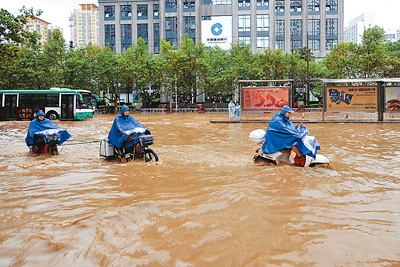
{"x":41,"y":129}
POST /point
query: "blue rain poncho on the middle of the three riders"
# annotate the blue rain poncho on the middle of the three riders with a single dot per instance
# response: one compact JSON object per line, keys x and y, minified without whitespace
{"x":126,"y":131}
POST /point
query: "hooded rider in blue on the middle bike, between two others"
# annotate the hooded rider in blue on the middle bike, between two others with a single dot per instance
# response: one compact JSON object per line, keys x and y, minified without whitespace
{"x":123,"y":123}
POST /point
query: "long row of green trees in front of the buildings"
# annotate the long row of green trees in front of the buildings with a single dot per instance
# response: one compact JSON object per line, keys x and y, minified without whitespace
{"x":190,"y":70}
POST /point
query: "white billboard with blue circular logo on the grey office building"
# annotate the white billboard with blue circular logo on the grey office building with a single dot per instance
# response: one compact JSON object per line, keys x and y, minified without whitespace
{"x":217,"y":31}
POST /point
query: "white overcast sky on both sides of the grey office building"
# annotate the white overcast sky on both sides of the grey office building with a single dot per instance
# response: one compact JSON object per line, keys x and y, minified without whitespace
{"x":57,"y":12}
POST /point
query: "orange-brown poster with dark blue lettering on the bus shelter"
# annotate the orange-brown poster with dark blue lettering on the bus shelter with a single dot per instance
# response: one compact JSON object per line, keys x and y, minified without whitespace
{"x":352,"y":98}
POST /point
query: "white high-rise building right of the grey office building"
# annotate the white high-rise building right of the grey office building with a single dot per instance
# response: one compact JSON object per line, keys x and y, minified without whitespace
{"x":354,"y":32}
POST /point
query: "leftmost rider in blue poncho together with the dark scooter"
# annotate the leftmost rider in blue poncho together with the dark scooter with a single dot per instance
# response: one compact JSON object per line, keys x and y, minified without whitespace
{"x":44,"y":135}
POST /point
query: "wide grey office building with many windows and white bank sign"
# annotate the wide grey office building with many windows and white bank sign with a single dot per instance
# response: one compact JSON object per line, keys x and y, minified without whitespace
{"x":284,"y":24}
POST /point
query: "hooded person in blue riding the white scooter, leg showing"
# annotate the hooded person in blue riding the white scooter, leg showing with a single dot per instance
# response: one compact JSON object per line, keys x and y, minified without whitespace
{"x":282,"y":133}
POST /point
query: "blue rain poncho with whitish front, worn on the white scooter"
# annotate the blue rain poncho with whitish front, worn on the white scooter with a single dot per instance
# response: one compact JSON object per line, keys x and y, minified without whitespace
{"x":282,"y":133}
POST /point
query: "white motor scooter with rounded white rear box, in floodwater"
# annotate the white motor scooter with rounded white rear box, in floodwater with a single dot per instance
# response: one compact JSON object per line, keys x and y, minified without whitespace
{"x":285,"y":156}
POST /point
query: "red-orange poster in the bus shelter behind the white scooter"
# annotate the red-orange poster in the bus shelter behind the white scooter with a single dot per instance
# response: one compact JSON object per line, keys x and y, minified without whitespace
{"x":265,"y":98}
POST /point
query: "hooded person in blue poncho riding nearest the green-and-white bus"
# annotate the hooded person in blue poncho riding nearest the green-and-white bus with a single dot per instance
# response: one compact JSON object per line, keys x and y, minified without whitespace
{"x":40,"y":123}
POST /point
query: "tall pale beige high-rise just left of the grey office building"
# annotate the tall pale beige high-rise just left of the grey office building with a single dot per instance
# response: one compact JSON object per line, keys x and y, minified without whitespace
{"x":84,"y":24}
